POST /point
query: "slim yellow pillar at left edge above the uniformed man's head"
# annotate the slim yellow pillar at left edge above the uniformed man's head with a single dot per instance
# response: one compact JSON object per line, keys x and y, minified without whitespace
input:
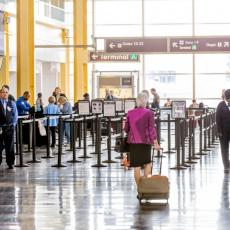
{"x":5,"y":71}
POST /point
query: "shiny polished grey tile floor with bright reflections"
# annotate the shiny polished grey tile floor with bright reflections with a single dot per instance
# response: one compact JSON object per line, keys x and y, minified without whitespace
{"x":81,"y":197}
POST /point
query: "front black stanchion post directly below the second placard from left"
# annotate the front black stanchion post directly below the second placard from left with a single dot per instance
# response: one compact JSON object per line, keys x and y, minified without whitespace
{"x":98,"y":143}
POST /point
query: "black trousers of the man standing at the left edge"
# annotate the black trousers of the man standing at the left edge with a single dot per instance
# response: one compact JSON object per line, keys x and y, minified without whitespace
{"x":7,"y":142}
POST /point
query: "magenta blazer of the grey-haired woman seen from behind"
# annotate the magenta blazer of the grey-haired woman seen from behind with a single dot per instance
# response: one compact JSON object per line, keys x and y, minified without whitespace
{"x":140,"y":126}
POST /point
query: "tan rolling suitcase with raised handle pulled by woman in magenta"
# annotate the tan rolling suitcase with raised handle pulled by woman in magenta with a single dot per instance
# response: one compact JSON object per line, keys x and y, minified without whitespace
{"x":154,"y":187}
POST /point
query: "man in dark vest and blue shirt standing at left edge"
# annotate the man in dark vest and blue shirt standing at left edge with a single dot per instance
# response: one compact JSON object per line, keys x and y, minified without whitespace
{"x":8,"y":121}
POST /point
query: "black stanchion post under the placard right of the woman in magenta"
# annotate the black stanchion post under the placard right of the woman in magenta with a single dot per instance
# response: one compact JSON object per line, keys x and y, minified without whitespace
{"x":178,"y":165}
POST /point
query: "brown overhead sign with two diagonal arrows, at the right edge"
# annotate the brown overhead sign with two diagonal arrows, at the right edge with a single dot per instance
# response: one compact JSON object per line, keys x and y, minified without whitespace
{"x":199,"y":44}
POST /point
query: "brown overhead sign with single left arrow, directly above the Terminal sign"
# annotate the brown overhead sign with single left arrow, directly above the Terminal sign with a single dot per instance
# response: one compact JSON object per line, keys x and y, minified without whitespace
{"x":137,"y":45}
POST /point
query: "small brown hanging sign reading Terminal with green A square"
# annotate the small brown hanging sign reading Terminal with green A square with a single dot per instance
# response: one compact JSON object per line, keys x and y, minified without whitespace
{"x":109,"y":57}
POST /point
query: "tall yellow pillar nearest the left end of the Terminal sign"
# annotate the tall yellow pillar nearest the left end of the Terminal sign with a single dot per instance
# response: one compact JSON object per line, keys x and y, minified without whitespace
{"x":80,"y":54}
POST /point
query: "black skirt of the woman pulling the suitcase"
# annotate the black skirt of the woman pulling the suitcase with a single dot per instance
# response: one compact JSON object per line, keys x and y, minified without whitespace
{"x":140,"y":154}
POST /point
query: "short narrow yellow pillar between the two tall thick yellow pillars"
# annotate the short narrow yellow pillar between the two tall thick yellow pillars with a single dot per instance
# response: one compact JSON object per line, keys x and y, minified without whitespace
{"x":64,"y":67}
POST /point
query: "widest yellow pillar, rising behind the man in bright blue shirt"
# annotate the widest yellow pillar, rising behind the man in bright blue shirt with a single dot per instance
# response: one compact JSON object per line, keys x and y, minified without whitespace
{"x":25,"y":48}
